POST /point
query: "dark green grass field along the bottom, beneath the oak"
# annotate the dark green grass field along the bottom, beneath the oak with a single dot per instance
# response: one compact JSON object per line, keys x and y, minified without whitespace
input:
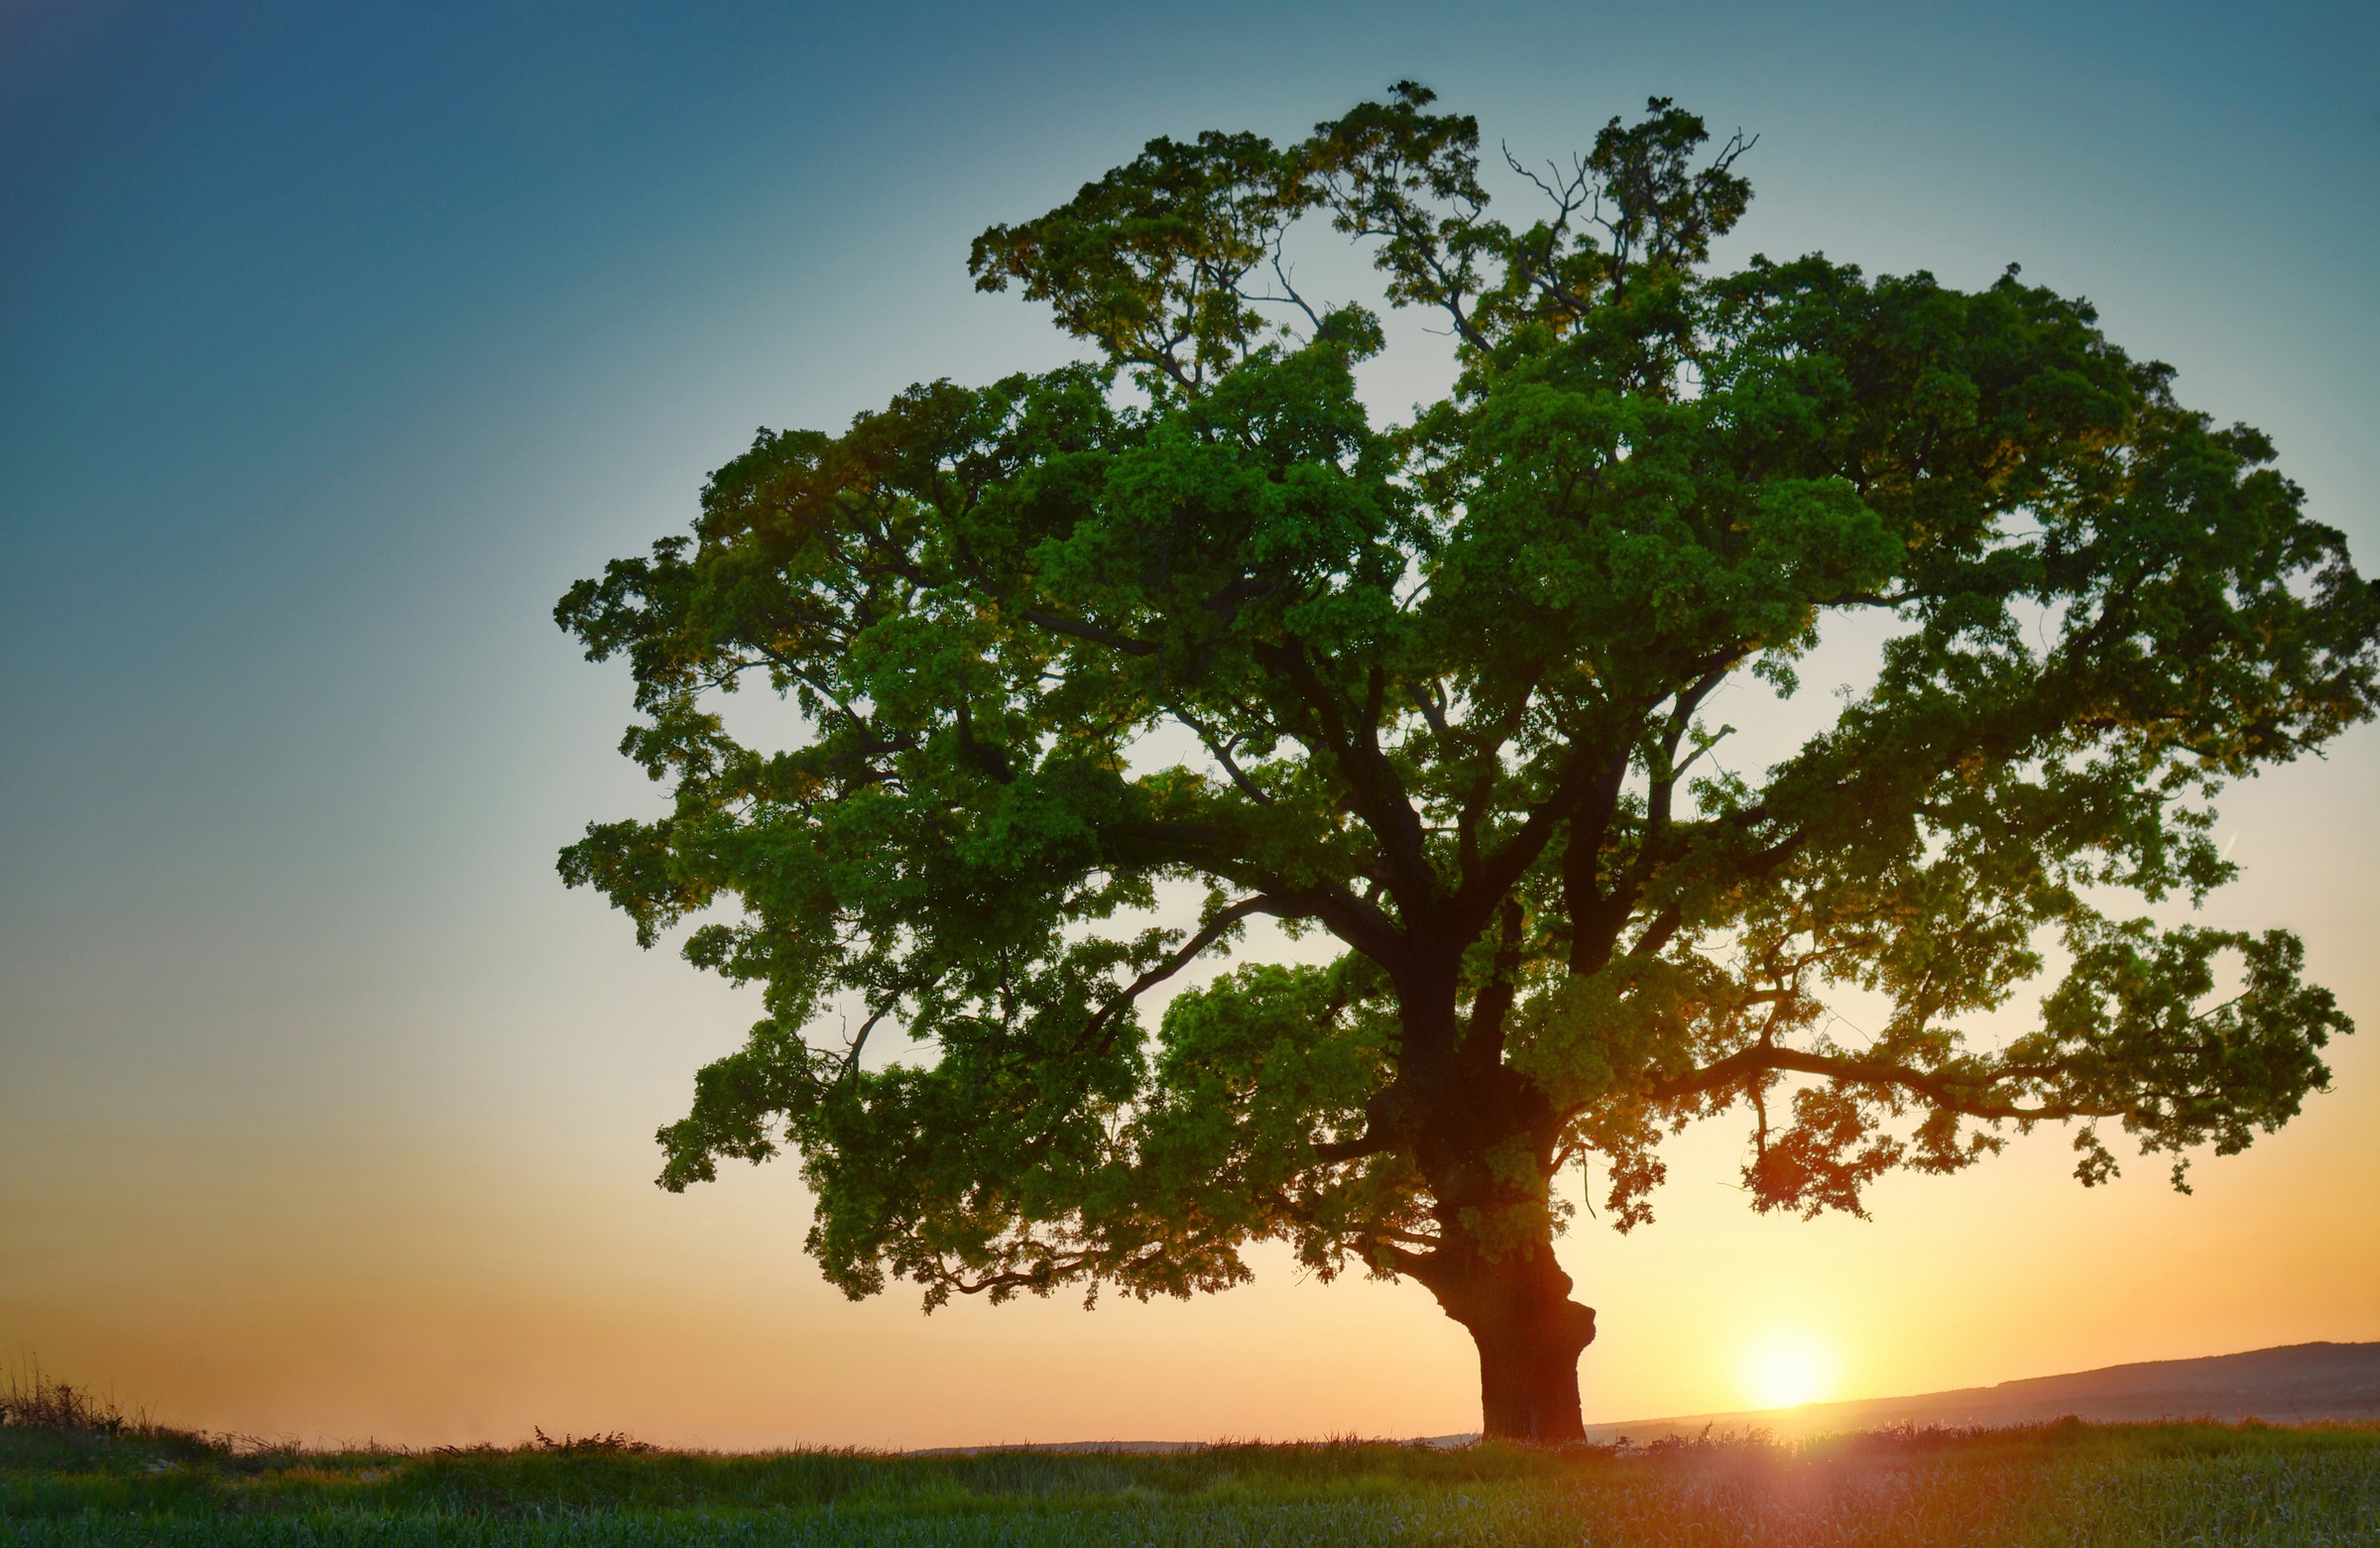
{"x":101,"y":1480}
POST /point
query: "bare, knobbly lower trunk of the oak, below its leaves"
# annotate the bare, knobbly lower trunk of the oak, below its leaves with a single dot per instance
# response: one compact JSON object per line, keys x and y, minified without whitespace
{"x":1529,"y":1335}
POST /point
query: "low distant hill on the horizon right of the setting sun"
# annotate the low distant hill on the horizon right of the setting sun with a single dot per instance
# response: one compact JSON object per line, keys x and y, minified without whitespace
{"x":2296,"y":1385}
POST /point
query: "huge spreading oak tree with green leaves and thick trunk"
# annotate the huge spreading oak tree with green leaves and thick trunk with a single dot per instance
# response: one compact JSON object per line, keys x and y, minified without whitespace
{"x":1446,"y":687}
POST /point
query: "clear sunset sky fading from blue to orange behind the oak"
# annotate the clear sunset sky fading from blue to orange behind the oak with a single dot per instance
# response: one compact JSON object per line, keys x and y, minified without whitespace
{"x":337,"y":342}
